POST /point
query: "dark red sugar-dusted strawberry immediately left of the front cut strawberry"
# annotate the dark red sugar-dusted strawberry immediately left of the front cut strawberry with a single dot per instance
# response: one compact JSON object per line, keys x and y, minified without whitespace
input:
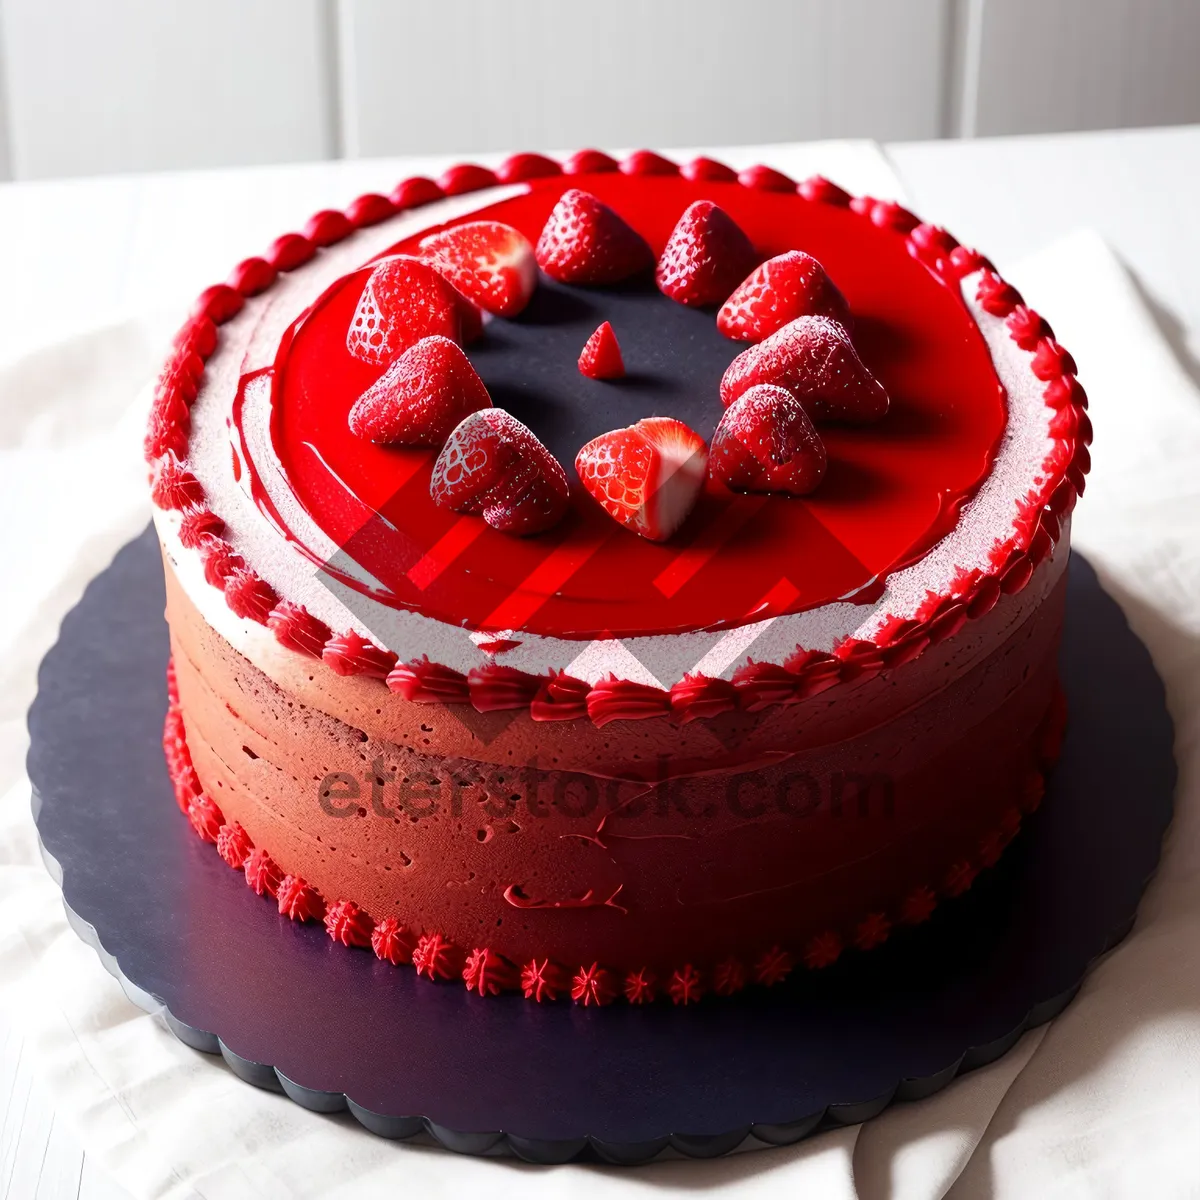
{"x":494,"y":465}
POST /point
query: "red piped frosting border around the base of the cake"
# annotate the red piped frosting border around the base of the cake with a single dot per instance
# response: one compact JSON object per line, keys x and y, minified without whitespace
{"x":489,"y":974}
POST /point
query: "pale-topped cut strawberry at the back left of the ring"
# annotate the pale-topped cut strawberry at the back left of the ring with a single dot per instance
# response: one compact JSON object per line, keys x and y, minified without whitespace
{"x":488,"y":262}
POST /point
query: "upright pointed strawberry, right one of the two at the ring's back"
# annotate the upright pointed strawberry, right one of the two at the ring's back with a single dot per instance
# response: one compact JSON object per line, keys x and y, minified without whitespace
{"x":705,"y":259}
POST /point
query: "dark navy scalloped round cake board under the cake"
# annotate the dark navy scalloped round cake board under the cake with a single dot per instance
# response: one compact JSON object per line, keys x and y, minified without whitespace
{"x":335,"y":1029}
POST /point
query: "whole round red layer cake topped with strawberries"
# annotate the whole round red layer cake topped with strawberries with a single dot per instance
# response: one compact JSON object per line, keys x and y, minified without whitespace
{"x":536,"y":742}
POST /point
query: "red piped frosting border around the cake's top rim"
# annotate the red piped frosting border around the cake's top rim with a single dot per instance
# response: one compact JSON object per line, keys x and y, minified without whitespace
{"x":755,"y":686}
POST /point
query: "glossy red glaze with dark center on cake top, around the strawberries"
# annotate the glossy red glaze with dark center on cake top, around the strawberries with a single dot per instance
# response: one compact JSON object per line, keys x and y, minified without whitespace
{"x":893,"y":490}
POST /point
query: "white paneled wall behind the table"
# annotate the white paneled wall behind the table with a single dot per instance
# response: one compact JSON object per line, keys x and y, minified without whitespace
{"x":93,"y":87}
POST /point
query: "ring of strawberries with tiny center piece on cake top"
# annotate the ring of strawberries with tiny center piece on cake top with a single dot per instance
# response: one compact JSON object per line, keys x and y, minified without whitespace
{"x":417,"y":311}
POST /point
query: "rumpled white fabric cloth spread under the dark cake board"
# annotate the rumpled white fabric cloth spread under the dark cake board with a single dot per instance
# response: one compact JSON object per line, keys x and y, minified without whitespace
{"x":1105,"y":1101}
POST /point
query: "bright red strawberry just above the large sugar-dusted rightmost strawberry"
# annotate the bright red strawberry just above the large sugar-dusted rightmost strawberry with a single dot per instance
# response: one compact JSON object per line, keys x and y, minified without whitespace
{"x":789,"y":286}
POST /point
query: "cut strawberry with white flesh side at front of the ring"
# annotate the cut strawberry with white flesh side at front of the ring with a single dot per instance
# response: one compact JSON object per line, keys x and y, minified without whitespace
{"x":649,"y":476}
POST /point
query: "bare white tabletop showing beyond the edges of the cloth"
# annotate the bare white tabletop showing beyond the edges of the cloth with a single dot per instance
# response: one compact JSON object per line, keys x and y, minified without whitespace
{"x":83,"y":254}
